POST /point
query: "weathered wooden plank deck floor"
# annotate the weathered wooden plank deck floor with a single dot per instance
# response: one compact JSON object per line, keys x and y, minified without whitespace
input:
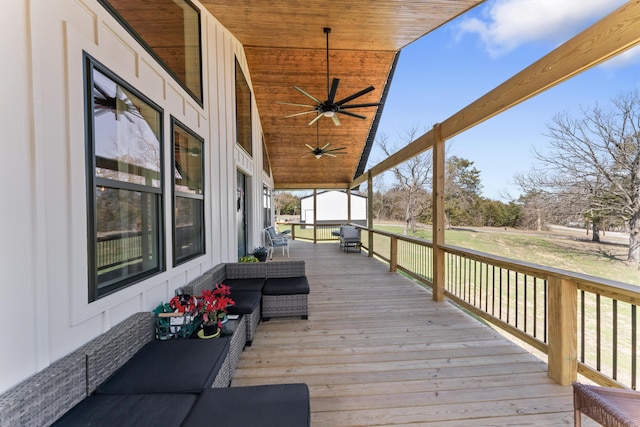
{"x":376,"y":350}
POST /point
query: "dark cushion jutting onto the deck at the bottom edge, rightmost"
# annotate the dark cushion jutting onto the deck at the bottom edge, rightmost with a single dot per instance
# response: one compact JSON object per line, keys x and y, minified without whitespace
{"x":275,"y":405}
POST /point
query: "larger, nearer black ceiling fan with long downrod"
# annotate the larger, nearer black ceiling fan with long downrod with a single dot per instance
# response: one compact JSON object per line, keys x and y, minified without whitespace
{"x":331,"y":107}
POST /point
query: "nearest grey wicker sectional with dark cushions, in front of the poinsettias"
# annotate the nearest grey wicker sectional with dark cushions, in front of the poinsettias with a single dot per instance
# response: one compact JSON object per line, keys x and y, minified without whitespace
{"x":125,"y":377}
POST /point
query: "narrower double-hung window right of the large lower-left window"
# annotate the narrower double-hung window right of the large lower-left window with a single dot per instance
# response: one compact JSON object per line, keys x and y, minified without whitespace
{"x":188,"y":192}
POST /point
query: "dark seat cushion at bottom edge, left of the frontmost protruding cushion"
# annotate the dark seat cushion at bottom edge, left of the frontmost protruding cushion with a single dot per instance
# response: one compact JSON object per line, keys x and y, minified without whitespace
{"x":129,"y":410}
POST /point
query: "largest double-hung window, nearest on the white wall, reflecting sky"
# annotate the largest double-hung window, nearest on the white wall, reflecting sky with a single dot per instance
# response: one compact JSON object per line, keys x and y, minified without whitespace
{"x":124,"y":190}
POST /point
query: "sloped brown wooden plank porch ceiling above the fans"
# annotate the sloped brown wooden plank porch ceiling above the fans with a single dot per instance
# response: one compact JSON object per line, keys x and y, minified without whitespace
{"x":285,"y":46}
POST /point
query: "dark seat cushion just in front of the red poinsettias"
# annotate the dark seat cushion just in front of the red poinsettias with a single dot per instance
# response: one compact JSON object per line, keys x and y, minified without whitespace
{"x":172,"y":366}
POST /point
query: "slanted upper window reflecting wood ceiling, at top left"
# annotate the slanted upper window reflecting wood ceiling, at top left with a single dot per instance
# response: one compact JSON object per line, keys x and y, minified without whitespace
{"x":170,"y":31}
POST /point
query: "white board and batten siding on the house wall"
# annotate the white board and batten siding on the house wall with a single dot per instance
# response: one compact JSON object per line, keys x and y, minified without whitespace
{"x":43,"y":258}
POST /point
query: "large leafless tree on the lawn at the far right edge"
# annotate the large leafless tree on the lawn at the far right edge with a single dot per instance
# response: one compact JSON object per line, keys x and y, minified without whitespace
{"x":594,"y":164}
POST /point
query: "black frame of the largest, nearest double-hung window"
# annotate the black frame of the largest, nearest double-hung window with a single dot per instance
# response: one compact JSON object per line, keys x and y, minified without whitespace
{"x":95,"y":292}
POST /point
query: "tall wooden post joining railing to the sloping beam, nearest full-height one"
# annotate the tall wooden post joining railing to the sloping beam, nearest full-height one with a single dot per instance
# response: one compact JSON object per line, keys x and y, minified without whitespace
{"x":438,"y":215}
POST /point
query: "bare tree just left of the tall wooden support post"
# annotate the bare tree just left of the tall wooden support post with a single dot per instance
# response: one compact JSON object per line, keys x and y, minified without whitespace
{"x":412,"y":178}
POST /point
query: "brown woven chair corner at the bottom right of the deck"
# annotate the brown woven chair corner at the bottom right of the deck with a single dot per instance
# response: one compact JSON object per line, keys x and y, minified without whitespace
{"x":608,"y":406}
